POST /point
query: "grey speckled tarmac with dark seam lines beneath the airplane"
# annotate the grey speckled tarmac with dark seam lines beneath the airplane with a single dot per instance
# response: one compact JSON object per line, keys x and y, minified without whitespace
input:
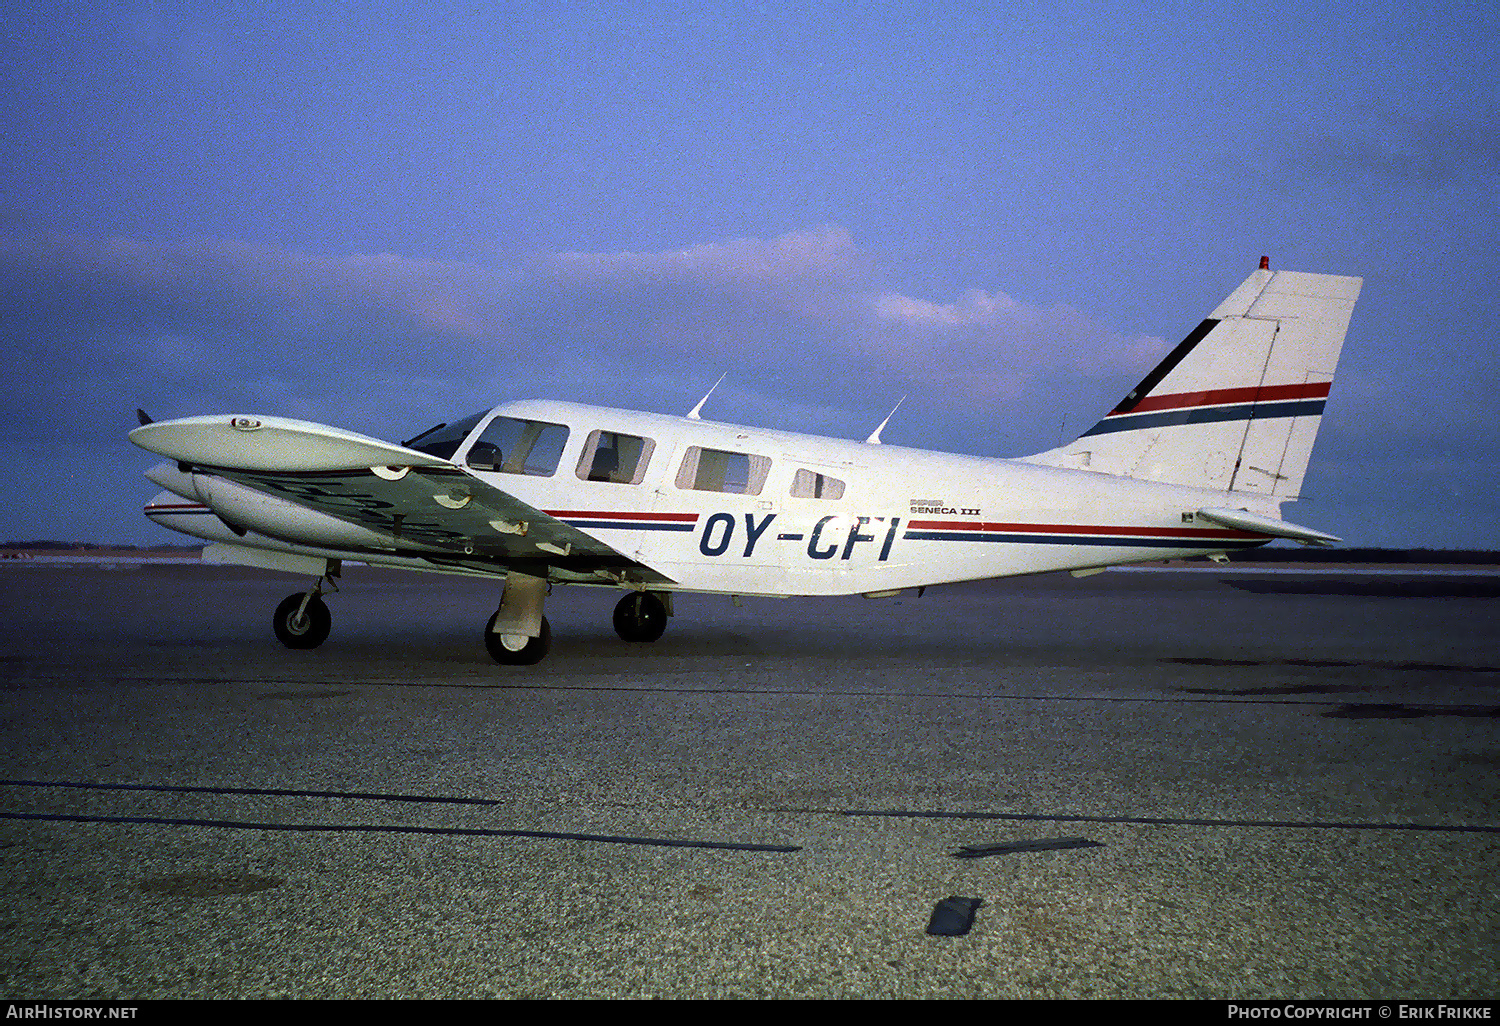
{"x":1289,"y":784}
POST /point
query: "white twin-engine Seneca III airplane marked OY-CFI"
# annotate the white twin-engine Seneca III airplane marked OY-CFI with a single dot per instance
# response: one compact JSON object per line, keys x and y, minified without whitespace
{"x":1198,"y":460}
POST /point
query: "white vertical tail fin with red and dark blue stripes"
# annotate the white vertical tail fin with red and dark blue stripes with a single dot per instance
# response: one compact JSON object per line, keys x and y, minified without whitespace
{"x":1235,"y":407}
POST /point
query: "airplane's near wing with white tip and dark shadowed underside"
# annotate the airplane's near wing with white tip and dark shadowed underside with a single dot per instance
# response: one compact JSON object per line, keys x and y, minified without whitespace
{"x":425,"y":505}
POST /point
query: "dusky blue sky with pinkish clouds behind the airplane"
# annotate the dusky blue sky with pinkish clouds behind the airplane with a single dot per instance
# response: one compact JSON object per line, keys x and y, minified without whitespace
{"x":388,"y":215}
